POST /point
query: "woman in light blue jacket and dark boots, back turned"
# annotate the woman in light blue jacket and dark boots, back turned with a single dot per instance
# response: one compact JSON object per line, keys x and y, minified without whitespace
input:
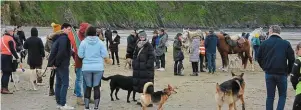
{"x":93,"y":53}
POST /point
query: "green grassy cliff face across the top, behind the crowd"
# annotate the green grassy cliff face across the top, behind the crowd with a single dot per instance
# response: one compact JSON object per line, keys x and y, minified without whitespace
{"x":152,"y":14}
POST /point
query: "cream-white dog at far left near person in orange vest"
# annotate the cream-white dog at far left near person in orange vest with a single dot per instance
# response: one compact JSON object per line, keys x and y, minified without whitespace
{"x":29,"y":76}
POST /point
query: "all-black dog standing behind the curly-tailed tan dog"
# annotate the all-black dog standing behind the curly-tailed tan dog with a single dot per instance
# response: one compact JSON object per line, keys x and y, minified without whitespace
{"x":123,"y":82}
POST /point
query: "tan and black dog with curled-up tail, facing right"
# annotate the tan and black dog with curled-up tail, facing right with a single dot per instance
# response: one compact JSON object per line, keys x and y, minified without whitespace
{"x":160,"y":97}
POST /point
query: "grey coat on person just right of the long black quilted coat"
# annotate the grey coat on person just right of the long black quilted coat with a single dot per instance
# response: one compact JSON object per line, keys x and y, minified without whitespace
{"x":161,"y":48}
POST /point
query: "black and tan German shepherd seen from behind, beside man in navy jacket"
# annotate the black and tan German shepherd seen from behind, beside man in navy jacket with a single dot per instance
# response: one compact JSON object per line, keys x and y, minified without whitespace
{"x":230,"y":91}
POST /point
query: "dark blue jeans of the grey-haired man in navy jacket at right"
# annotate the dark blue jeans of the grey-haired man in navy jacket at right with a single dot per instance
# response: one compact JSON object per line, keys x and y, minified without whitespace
{"x":273,"y":81}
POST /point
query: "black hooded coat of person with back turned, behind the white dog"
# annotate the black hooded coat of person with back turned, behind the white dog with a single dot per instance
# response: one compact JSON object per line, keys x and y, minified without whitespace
{"x":36,"y":52}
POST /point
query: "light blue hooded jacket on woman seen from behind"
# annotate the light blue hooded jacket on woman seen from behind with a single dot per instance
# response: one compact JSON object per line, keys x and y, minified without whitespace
{"x":93,"y":51}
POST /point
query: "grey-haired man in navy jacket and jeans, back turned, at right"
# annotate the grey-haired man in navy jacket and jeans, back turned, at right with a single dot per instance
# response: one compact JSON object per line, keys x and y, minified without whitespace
{"x":276,"y":58}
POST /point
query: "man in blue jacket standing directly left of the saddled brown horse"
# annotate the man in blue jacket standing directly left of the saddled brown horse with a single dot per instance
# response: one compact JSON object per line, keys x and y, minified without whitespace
{"x":211,"y":42}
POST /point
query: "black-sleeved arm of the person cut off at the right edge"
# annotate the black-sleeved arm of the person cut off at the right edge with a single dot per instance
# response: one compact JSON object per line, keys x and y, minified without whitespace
{"x":295,"y":75}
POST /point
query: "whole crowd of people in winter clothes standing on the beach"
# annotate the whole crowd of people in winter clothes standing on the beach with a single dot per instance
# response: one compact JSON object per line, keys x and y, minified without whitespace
{"x":96,"y":49}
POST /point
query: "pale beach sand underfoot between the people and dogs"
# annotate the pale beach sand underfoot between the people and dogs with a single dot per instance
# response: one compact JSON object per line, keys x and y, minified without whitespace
{"x":194,"y":93}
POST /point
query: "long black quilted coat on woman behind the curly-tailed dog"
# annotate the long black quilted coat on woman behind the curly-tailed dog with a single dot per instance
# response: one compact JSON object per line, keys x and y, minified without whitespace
{"x":143,"y":67}
